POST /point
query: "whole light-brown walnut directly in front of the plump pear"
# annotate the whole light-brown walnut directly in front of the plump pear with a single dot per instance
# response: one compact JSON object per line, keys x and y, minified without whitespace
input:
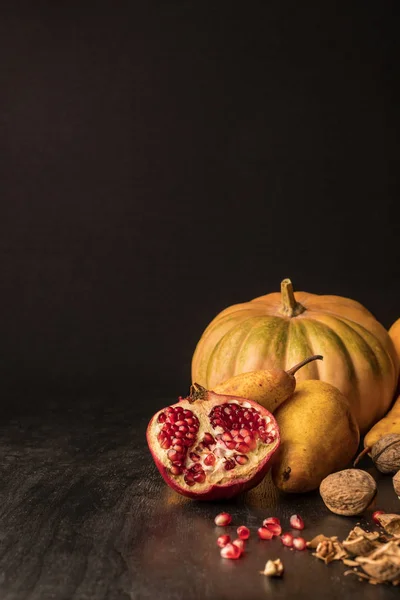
{"x":348,"y":492}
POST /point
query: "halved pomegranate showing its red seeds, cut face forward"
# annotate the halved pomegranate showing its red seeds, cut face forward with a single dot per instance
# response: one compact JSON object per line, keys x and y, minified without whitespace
{"x":210,"y":446}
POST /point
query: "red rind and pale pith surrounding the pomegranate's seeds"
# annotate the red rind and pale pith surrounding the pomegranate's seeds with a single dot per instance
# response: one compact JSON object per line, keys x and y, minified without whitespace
{"x":235,"y":484}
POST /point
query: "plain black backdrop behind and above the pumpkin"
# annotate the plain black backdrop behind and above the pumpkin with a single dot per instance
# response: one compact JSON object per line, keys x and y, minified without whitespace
{"x":161,"y":161}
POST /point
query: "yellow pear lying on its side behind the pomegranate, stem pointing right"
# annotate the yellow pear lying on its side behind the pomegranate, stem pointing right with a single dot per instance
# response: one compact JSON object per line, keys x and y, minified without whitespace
{"x":268,"y":387}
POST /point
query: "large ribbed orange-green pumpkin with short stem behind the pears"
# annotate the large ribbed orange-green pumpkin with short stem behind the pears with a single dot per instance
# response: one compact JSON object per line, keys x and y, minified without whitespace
{"x":281,"y":329}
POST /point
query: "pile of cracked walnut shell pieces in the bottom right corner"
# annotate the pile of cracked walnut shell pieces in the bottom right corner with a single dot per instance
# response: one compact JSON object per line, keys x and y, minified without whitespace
{"x":373,"y":556}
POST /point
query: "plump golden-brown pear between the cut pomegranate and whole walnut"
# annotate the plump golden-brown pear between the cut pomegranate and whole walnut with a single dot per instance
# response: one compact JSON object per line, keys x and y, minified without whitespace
{"x":319,"y":435}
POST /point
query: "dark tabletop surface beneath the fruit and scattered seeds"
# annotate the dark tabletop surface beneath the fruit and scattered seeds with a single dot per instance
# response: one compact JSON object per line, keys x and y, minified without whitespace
{"x":85,"y":515}
